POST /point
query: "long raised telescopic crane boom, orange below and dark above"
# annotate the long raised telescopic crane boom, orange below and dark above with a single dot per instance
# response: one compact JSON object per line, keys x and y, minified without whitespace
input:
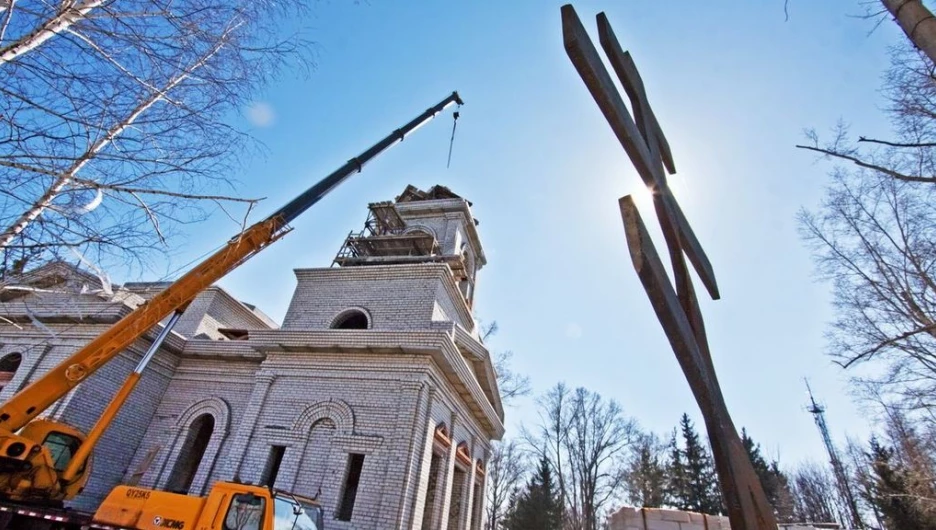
{"x":28,"y":403}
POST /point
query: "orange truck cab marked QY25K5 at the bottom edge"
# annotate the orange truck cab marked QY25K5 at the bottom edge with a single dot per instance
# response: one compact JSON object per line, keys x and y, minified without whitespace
{"x":229,"y":506}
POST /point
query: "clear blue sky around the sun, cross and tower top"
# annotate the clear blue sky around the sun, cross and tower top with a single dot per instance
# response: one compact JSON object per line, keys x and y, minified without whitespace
{"x":733,"y":86}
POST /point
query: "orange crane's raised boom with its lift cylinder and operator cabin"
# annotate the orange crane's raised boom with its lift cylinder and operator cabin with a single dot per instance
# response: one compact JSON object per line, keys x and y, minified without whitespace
{"x":44,"y":462}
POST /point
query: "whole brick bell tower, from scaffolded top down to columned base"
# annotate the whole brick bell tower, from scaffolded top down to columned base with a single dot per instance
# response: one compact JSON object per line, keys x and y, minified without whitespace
{"x":376,"y":395}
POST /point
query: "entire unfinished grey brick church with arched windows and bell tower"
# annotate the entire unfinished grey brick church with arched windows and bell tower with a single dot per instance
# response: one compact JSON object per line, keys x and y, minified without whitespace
{"x":376,"y":395}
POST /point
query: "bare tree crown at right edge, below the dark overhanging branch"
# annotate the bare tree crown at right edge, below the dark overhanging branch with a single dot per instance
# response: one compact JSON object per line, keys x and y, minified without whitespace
{"x":873,"y":240}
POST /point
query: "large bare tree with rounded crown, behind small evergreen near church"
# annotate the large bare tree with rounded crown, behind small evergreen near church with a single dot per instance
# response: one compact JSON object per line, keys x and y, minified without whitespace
{"x":585,"y":438}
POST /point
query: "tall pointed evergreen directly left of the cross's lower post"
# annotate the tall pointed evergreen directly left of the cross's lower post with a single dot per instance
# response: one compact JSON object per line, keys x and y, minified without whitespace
{"x":702,"y":493}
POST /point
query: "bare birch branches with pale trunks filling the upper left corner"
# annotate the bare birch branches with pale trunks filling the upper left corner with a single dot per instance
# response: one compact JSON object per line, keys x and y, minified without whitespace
{"x":115,"y":117}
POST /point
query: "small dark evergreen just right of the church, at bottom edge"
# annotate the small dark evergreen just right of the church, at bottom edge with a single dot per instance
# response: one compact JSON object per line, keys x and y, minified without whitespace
{"x":538,"y":506}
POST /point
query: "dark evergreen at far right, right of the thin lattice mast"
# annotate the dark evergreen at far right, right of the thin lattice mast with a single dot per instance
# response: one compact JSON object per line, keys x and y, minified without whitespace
{"x":892,"y":493}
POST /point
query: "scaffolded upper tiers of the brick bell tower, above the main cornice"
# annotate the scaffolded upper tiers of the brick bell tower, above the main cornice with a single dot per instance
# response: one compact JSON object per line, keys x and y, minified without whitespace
{"x":413,"y":266}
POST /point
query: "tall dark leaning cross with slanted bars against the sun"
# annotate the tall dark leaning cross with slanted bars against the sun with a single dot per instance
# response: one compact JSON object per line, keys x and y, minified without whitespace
{"x":676,"y":307}
